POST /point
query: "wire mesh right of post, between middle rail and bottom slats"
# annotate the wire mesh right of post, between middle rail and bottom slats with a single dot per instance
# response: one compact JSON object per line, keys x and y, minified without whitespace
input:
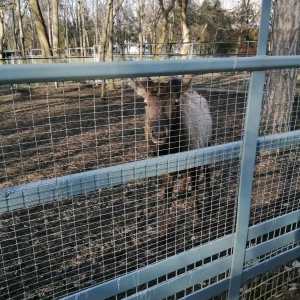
{"x":276,"y":184}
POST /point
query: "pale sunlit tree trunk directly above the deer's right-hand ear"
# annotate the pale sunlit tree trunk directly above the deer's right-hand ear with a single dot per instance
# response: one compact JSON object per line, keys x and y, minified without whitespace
{"x":185,"y":48}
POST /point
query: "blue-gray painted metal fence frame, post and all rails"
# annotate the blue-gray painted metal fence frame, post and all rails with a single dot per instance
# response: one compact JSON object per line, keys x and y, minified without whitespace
{"x":232,"y":265}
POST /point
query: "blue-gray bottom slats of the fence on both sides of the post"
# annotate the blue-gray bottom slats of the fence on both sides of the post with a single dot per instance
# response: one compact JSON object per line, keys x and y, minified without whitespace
{"x":151,"y":272}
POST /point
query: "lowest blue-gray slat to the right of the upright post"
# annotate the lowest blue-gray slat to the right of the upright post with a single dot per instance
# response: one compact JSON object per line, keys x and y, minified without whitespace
{"x":271,"y":263}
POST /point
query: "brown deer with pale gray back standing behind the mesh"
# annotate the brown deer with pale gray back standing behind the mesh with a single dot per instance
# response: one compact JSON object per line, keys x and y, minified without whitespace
{"x":177,"y":119}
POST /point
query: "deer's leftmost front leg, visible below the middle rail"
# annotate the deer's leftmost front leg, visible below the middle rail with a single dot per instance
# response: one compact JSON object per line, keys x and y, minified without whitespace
{"x":168,"y":184}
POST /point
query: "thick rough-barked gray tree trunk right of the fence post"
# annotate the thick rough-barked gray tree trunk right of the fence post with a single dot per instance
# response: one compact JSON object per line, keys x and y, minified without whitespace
{"x":279,"y":96}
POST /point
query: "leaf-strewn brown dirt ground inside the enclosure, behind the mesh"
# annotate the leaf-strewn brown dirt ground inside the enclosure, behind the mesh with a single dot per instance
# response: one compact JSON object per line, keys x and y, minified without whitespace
{"x":60,"y":247}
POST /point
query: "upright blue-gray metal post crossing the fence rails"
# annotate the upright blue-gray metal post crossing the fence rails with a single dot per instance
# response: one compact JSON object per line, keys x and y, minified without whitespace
{"x":248,"y":158}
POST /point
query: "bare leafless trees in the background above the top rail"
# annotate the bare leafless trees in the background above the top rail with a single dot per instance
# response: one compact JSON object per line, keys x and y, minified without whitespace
{"x":53,"y":26}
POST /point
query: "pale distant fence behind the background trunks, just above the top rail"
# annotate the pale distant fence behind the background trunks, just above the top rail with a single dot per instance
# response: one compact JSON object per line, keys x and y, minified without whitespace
{"x":131,"y":52}
